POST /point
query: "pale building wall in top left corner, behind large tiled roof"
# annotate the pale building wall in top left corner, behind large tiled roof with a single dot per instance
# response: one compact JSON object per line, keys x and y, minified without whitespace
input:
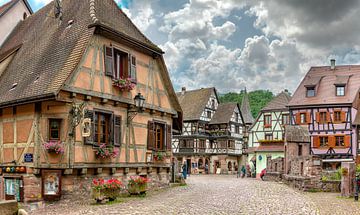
{"x":11,"y":13}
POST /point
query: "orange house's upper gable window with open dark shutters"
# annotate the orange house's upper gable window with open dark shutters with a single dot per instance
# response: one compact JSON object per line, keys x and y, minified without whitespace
{"x":119,"y":64}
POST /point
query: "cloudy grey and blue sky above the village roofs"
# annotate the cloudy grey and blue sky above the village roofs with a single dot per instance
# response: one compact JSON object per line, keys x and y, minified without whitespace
{"x":257,"y":44}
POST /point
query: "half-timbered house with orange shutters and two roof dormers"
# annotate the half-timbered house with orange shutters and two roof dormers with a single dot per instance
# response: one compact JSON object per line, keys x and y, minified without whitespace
{"x":326,"y":102}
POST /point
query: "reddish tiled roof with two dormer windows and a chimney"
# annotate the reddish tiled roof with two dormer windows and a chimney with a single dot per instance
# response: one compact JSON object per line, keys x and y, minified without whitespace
{"x":325,"y":78}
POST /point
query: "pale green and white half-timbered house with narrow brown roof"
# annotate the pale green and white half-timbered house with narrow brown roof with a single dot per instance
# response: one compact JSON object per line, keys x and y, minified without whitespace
{"x":267,"y":133}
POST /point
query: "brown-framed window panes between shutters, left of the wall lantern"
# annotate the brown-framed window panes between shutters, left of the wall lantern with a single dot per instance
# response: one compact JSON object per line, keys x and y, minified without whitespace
{"x":102,"y":129}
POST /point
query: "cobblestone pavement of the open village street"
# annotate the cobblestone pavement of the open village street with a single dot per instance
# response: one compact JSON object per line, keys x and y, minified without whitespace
{"x":218,"y":195}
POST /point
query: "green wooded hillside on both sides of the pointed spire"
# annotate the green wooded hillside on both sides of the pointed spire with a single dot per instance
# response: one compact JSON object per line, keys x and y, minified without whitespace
{"x":258,"y":99}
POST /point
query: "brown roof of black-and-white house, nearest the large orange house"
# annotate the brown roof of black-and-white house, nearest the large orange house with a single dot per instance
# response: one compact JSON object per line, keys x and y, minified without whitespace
{"x":193,"y":102}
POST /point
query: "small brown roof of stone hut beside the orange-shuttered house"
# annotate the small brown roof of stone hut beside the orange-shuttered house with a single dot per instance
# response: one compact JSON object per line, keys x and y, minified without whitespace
{"x":297,"y":133}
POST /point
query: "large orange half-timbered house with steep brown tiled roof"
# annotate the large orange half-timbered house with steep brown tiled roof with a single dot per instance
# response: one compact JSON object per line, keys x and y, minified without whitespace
{"x":68,"y":78}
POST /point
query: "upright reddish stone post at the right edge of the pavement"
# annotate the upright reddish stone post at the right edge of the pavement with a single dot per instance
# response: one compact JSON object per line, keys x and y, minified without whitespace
{"x":347,"y":179}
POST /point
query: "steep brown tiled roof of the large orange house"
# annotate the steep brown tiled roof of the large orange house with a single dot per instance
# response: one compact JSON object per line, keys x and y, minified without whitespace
{"x":51,"y":50}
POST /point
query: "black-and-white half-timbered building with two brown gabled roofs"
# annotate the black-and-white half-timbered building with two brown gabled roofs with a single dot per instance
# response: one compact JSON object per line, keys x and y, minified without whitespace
{"x":212,"y":133}
